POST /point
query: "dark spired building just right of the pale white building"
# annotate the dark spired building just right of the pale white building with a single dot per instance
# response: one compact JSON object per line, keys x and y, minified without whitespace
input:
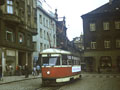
{"x":61,"y":32}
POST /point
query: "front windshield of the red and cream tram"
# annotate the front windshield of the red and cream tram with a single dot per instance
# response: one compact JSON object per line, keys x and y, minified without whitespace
{"x":51,"y":61}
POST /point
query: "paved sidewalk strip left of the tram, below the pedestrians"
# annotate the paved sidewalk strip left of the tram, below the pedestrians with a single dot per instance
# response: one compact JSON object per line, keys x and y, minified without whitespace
{"x":9,"y":79}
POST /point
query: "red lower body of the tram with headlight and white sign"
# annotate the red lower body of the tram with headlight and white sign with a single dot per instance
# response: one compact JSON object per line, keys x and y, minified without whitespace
{"x":61,"y":74}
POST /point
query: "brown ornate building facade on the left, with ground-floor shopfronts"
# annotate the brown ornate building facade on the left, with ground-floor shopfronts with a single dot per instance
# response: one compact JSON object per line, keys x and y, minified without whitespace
{"x":17,"y":26}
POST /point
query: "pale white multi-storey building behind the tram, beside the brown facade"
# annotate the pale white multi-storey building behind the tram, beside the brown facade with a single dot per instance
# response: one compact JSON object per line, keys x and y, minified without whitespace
{"x":46,"y":29}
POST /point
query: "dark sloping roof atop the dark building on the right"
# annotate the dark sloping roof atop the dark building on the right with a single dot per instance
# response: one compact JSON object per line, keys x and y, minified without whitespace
{"x":106,"y":8}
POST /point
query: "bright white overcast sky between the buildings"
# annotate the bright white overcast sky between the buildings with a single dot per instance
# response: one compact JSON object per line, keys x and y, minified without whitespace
{"x":73,"y":10}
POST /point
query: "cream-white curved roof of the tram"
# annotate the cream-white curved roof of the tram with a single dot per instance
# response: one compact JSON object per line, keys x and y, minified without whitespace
{"x":55,"y":51}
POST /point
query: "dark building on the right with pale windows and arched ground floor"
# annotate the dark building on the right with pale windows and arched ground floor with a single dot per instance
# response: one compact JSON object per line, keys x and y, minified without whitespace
{"x":102,"y":38}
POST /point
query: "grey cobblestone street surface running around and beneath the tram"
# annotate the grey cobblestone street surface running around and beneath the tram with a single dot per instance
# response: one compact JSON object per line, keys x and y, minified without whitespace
{"x":88,"y":82}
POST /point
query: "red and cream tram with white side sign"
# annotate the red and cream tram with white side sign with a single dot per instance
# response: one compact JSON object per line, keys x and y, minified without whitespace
{"x":59,"y":66}
